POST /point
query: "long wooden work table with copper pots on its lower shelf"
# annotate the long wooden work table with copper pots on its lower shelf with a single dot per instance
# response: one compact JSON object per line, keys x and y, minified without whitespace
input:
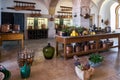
{"x":68,"y":40}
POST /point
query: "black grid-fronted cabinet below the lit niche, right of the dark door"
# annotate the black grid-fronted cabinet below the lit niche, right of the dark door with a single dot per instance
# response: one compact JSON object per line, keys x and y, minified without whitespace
{"x":37,"y":34}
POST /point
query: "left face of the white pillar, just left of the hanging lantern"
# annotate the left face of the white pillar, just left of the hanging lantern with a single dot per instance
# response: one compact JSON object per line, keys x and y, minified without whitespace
{"x":76,"y":12}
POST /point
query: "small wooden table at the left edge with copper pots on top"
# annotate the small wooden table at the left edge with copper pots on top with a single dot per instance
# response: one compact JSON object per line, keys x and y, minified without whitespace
{"x":12,"y":36}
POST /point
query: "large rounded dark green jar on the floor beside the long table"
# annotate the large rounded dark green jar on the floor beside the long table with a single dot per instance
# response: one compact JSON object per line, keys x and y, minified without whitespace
{"x":48,"y":51}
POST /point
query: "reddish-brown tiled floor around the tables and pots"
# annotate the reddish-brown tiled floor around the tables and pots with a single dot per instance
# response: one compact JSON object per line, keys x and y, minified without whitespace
{"x":57,"y":68}
